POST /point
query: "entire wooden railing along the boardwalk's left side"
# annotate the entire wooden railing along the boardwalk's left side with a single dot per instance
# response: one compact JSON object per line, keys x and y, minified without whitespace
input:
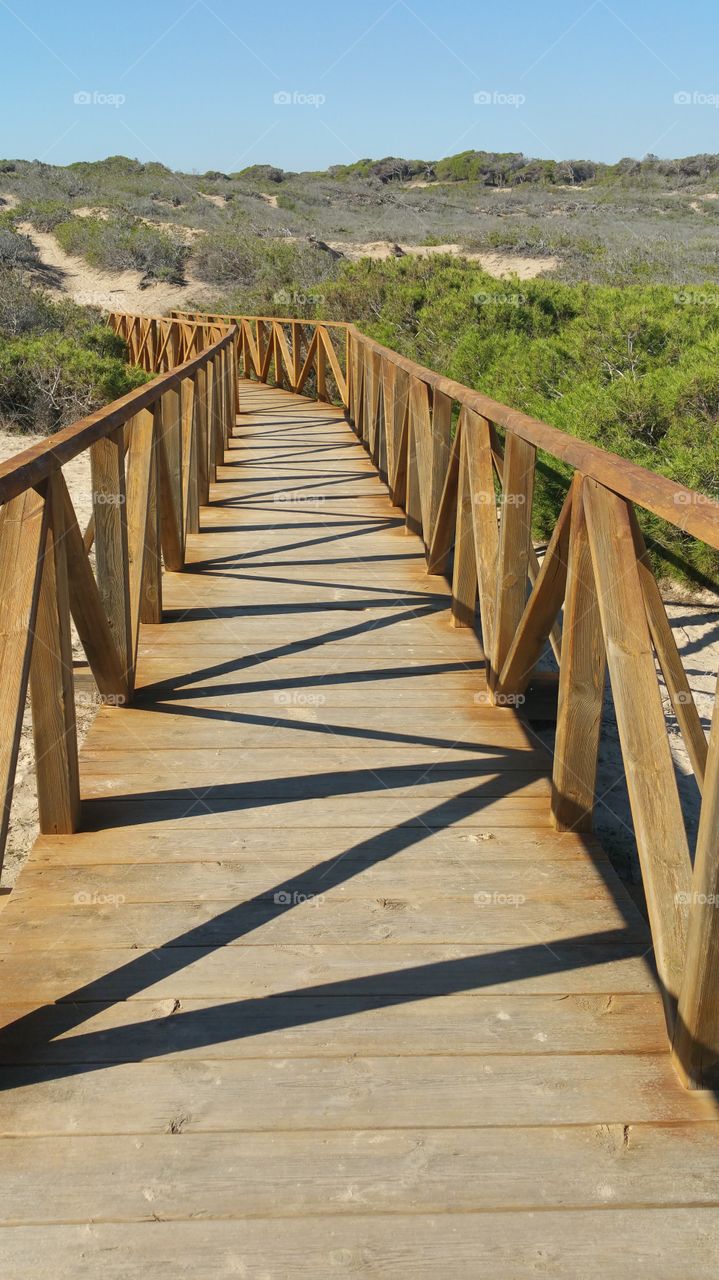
{"x":153,"y":455}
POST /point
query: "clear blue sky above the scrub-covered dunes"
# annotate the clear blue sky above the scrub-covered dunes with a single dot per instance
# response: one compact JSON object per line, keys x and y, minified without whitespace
{"x":571,"y":79}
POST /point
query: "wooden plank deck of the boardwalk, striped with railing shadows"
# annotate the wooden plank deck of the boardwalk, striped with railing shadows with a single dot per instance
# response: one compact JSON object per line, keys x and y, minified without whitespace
{"x":318,"y":991}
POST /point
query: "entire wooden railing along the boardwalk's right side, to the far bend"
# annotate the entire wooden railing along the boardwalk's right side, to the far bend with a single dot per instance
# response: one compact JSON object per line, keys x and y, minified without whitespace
{"x":462,"y":468}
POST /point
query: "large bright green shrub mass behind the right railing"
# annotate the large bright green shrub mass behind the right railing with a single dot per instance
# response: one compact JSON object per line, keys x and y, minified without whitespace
{"x":633,"y":371}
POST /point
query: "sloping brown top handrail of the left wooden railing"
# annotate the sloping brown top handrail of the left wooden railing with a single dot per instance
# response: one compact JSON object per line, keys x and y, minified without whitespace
{"x":36,"y":464}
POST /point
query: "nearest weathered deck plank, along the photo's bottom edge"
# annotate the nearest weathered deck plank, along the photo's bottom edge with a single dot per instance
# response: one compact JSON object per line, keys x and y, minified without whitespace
{"x":598,"y":1245}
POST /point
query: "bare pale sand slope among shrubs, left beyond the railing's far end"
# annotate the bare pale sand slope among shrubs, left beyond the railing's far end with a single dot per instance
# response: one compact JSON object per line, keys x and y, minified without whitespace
{"x":112,"y":291}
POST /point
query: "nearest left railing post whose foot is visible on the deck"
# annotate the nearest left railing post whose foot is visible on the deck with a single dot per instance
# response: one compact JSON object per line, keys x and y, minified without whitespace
{"x":53,"y":684}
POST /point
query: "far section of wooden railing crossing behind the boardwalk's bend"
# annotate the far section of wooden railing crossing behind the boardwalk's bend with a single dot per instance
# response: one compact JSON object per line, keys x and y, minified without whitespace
{"x":306,"y":356}
